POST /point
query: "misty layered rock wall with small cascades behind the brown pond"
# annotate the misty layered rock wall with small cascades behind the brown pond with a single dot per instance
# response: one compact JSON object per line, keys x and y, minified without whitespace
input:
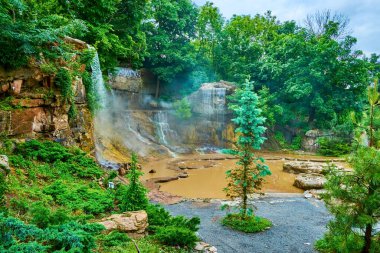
{"x":134,"y":120}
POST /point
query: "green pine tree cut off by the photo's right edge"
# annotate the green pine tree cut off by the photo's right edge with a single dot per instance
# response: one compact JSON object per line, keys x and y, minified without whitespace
{"x":354,"y":197}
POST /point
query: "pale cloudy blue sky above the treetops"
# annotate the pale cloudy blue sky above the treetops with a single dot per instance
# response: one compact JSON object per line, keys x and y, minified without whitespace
{"x":363,"y":14}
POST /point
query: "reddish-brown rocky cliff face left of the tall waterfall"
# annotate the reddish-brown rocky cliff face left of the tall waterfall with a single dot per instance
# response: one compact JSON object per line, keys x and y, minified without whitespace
{"x":32,"y":107}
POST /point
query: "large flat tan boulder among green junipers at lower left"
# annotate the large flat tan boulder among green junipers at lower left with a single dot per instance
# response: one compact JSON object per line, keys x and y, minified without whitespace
{"x":132,"y":223}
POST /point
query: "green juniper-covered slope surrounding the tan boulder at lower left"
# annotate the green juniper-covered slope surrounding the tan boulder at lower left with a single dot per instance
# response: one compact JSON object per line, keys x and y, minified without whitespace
{"x":53,"y":193}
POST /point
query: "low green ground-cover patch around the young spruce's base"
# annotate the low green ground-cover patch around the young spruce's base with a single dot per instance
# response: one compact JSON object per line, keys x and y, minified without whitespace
{"x":250,"y":224}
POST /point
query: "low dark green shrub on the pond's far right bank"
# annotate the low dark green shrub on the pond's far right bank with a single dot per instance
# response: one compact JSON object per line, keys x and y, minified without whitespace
{"x":333,"y":146}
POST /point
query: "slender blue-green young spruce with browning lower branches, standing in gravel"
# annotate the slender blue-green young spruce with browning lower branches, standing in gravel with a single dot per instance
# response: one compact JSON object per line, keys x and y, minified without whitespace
{"x":247,"y":177}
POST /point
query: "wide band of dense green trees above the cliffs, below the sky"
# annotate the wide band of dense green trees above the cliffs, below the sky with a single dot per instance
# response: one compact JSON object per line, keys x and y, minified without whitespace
{"x":311,"y":72}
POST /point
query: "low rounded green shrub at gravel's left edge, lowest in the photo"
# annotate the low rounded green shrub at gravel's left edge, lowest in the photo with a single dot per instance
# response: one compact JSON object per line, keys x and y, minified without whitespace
{"x":176,"y":236}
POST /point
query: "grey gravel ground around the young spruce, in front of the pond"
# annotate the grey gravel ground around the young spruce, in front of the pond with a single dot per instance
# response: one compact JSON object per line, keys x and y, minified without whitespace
{"x":297,"y":224}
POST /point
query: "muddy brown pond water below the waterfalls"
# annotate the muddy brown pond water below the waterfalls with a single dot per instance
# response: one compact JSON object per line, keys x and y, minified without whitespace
{"x":209,"y":182}
